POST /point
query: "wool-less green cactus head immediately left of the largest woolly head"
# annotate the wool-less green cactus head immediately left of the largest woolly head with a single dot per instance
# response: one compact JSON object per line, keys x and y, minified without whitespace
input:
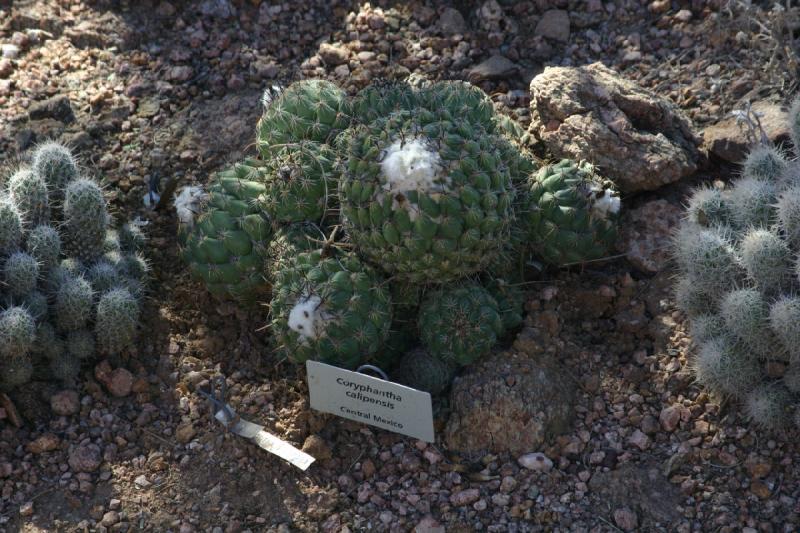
{"x":300,"y":183}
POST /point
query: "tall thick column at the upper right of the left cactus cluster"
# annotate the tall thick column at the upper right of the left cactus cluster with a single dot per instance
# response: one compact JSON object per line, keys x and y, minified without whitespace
{"x":85,"y":220}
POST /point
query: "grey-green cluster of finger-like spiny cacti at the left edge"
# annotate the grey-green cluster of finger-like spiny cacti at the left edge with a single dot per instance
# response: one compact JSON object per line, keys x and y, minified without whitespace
{"x":70,"y":286}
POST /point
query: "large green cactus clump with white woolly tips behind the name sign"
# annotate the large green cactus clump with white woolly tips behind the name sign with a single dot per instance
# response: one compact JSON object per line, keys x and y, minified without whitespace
{"x":403,"y":215}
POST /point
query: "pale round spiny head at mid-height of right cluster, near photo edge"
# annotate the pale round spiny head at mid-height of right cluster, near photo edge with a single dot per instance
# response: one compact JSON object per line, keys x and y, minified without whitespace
{"x":767,"y":260}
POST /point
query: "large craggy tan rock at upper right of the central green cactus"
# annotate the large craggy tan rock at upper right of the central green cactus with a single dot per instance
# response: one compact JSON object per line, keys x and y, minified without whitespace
{"x":637,"y":138}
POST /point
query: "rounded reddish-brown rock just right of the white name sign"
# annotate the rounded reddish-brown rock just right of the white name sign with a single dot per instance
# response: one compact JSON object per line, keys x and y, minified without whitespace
{"x":509,"y":403}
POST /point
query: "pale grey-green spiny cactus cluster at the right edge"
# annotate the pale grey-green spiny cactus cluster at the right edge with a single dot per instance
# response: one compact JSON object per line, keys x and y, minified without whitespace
{"x":737,"y":251}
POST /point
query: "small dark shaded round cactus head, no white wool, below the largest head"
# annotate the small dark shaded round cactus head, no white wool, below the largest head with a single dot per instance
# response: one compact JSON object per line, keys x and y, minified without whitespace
{"x":459,"y":324}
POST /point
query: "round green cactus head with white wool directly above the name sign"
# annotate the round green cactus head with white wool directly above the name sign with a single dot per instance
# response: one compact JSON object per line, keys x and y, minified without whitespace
{"x":329,"y":307}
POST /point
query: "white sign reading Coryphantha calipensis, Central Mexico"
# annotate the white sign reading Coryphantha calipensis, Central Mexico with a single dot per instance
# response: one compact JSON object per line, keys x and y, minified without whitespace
{"x":370,"y":400}
